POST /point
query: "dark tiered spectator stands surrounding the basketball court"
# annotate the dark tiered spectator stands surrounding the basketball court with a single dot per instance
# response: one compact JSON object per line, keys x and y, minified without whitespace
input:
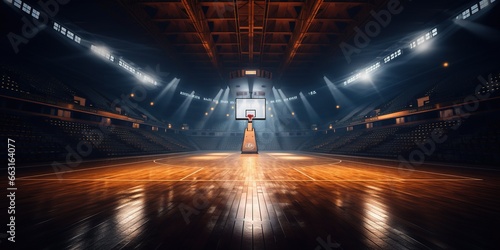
{"x":46,"y":137}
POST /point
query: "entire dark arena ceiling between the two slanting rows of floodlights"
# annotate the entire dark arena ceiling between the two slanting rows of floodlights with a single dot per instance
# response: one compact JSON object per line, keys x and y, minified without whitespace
{"x":203,"y":41}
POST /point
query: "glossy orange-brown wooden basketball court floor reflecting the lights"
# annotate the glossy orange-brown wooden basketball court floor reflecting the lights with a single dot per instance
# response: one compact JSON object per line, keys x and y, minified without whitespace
{"x":226,"y":200}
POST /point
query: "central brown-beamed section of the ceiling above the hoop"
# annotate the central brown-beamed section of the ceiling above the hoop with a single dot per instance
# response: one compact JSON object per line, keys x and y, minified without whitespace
{"x":217,"y":37}
